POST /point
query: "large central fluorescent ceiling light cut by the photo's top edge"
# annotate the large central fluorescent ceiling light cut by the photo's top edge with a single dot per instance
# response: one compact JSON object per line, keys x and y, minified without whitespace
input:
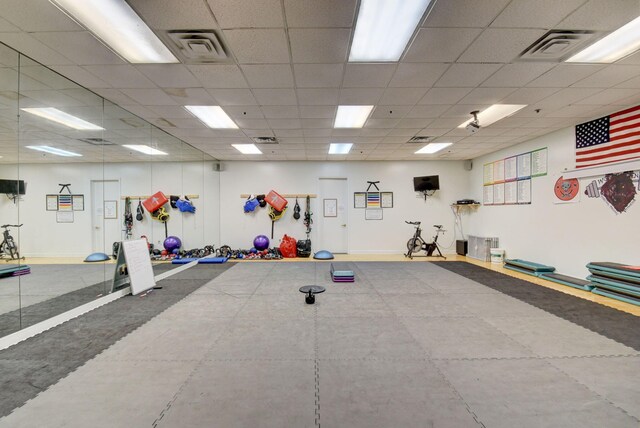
{"x":384,"y":28}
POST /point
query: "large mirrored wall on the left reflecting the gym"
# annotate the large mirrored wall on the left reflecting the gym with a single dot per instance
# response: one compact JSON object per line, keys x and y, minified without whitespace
{"x":72,"y":165}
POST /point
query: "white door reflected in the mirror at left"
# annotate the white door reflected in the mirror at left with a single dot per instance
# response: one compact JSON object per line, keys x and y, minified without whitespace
{"x":106,"y":218}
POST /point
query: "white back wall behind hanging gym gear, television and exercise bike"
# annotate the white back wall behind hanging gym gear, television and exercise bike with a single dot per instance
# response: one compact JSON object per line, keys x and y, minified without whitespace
{"x":389,"y":235}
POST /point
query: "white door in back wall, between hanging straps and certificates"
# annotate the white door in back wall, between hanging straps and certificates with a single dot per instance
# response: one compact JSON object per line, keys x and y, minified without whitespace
{"x":333,"y":233}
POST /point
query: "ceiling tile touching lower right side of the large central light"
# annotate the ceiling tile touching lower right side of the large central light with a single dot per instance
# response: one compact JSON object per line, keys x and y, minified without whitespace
{"x":440,"y":44}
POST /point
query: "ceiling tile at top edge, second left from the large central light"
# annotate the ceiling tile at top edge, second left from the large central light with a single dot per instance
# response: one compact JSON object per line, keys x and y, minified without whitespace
{"x":247,"y":13}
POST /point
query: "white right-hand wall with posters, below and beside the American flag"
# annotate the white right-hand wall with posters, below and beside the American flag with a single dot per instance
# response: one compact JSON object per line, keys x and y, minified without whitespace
{"x":566,"y":236}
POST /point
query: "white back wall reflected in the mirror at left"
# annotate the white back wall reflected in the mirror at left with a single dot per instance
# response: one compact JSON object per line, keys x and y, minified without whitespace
{"x":42,"y":236}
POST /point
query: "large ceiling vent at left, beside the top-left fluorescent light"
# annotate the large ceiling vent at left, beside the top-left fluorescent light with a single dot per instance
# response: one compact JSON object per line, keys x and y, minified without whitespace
{"x":197,"y":46}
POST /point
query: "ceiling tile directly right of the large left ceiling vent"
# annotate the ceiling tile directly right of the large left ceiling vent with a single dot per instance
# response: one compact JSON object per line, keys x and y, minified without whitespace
{"x":258,"y":46}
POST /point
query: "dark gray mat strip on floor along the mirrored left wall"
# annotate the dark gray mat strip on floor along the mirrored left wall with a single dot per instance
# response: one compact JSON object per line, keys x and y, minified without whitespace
{"x":35,"y":364}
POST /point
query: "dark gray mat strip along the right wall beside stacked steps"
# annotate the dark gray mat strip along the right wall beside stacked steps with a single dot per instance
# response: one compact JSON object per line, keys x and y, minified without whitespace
{"x":612,"y":323}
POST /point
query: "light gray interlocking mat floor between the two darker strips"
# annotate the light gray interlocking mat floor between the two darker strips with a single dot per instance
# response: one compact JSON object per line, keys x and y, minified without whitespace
{"x":406,"y":345}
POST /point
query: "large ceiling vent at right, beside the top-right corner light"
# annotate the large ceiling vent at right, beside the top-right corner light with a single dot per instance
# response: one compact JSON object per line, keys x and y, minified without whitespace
{"x":556,"y":45}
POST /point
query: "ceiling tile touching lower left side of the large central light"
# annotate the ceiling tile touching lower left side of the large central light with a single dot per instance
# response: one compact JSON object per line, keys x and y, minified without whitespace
{"x":319,"y":45}
